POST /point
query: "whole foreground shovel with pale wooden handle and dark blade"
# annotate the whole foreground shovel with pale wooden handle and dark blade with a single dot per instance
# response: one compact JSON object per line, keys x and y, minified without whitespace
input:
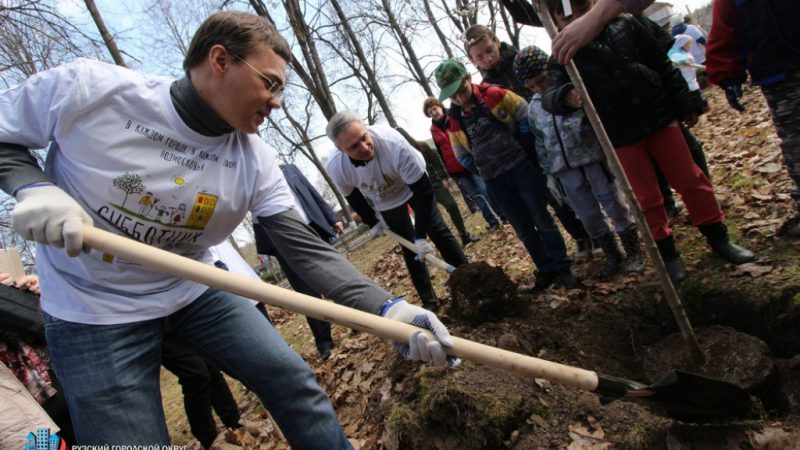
{"x":685,"y":396}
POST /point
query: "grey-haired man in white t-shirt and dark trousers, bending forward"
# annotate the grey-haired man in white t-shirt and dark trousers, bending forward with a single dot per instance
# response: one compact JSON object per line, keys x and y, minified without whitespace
{"x":377,"y":163}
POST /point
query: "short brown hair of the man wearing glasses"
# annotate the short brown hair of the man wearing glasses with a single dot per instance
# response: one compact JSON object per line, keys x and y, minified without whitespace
{"x":240,"y":33}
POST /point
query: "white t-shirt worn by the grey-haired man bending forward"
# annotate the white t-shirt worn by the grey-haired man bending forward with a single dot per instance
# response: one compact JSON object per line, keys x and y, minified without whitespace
{"x":385,"y":178}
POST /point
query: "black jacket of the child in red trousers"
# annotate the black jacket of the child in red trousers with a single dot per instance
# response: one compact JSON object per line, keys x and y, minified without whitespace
{"x":633,"y":85}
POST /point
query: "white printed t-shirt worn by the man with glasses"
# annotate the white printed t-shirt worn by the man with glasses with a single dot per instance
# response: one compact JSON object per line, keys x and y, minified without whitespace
{"x":119,"y":148}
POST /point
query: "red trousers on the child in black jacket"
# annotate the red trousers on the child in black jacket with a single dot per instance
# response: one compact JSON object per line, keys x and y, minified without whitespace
{"x":668,"y":149}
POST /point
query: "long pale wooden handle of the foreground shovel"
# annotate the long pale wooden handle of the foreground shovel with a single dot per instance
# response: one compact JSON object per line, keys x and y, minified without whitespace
{"x":179,"y":266}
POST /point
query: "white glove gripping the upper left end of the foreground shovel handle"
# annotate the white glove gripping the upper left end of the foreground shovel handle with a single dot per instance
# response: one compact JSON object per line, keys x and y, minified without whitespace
{"x":49,"y":215}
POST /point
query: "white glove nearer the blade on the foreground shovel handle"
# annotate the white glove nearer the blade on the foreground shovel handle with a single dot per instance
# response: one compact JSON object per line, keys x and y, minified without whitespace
{"x":419,"y":348}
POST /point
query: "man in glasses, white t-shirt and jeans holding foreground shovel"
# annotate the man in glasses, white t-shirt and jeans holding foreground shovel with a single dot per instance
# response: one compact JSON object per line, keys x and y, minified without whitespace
{"x":190,"y":146}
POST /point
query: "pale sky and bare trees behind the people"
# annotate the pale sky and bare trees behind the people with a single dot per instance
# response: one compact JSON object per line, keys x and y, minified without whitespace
{"x":361,"y":55}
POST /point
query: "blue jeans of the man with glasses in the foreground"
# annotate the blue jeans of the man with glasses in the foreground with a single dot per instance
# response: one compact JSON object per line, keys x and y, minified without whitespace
{"x":110,"y":373}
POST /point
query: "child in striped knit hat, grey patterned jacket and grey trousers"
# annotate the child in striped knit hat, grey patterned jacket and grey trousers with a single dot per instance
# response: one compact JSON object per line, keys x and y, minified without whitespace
{"x":573,"y":160}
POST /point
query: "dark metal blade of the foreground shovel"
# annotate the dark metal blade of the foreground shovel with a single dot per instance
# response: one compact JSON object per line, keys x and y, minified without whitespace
{"x":685,"y":396}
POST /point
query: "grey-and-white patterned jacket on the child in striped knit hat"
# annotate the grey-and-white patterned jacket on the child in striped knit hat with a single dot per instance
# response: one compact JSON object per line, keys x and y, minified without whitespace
{"x":562,"y":142}
